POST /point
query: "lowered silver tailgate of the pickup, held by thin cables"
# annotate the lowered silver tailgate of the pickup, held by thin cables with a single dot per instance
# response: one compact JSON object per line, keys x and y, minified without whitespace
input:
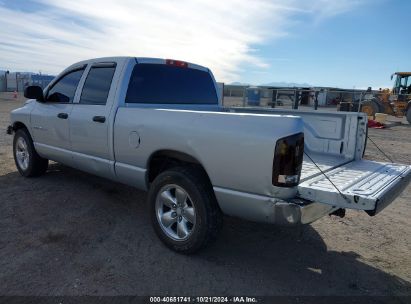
{"x":364,"y":185}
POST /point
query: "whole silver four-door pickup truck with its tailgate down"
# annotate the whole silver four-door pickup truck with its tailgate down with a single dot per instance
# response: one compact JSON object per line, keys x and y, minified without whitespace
{"x":158,"y":125}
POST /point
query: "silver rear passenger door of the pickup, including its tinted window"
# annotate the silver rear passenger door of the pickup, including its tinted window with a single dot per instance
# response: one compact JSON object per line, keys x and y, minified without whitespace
{"x":90,"y":124}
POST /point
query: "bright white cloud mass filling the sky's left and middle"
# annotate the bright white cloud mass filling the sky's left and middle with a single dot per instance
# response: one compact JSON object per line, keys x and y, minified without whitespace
{"x":221,"y":34}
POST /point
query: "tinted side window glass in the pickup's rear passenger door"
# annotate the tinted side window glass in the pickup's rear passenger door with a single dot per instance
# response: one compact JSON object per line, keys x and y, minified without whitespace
{"x":97,"y":85}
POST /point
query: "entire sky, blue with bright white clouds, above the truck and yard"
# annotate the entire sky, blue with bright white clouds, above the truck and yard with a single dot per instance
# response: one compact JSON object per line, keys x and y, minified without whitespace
{"x":346,"y":44}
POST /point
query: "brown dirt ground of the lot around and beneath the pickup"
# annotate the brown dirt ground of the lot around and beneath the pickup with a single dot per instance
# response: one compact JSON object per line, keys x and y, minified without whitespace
{"x":70,"y":233}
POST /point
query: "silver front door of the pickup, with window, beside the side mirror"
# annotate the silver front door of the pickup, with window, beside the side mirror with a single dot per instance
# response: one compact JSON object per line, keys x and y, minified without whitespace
{"x":50,"y":119}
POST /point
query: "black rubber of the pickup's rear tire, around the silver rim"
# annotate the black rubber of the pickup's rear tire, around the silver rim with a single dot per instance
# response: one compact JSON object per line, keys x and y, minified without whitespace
{"x":208,"y":216}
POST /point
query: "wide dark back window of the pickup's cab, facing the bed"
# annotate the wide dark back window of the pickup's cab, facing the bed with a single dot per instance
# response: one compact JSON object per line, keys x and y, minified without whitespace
{"x":166,"y":84}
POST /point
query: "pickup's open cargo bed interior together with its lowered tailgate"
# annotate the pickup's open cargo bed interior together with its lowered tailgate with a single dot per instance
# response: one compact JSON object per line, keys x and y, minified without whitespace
{"x":335,"y":141}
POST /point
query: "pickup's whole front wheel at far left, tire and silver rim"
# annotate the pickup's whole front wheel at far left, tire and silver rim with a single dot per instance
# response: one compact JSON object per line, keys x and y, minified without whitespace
{"x":28,"y":162}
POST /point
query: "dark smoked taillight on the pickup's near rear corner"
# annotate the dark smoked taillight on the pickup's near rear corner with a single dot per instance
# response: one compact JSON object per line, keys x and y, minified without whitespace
{"x":288,"y":160}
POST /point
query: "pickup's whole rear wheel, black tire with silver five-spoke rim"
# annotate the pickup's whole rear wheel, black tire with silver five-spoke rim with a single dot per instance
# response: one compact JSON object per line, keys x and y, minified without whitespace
{"x":183,"y":208}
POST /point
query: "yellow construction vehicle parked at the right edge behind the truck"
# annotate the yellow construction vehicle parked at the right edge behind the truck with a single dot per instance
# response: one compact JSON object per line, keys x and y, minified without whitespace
{"x":395,"y":102}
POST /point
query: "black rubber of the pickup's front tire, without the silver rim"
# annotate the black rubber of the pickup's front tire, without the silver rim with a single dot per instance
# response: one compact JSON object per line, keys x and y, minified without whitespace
{"x":36,"y":165}
